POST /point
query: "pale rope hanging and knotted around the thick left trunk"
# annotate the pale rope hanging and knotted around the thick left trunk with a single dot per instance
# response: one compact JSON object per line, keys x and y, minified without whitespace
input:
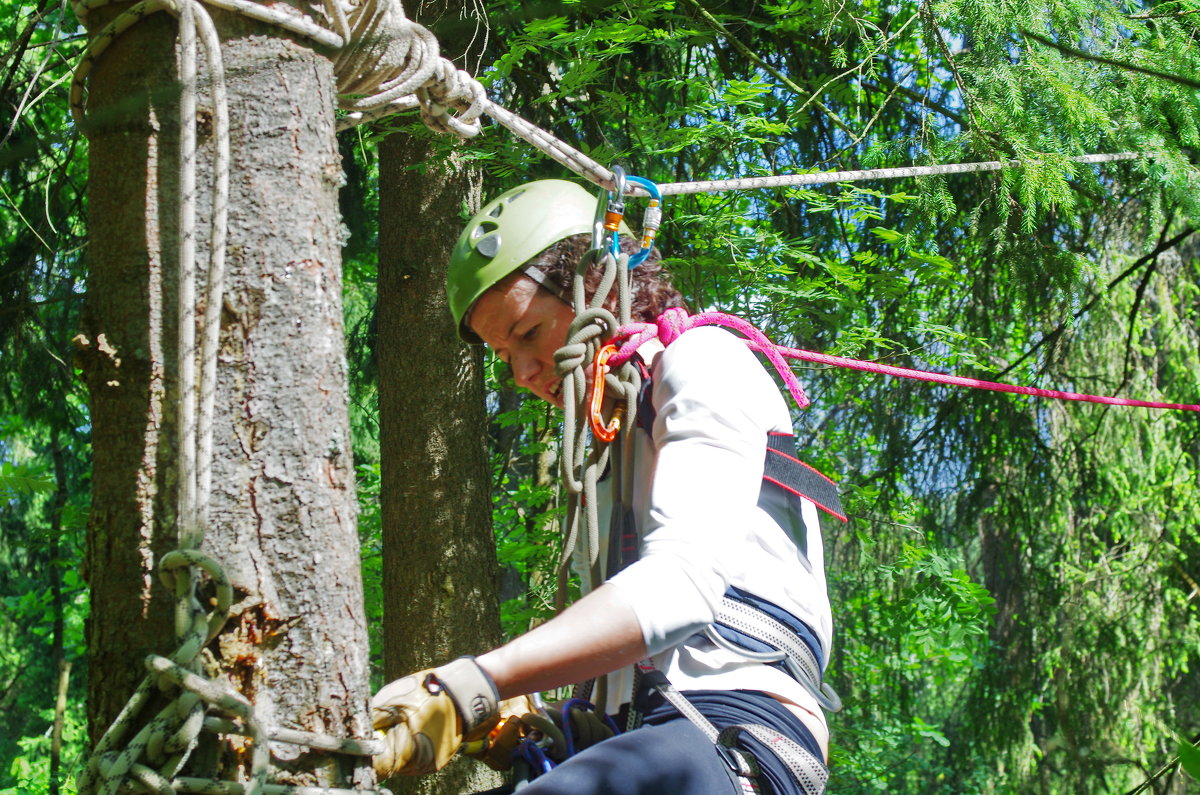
{"x":157,"y":752}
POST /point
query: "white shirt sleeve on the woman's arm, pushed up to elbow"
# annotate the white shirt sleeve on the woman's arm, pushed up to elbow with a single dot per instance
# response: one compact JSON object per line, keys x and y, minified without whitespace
{"x":715,"y":405}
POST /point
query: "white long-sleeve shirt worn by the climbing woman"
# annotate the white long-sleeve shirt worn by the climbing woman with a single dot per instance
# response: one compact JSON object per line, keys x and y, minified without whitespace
{"x":698,"y":480}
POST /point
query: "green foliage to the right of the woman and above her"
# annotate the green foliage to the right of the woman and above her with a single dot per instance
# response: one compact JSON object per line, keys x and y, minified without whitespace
{"x":1010,"y":561}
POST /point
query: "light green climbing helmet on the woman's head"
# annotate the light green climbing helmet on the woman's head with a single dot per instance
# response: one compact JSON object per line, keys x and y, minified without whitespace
{"x":511,"y":231}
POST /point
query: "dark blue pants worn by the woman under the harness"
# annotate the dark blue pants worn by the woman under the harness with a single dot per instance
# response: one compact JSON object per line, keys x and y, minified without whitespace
{"x":670,"y":756}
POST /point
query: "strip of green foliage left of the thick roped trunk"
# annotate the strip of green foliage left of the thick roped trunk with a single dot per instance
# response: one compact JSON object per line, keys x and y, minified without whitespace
{"x":44,"y":419}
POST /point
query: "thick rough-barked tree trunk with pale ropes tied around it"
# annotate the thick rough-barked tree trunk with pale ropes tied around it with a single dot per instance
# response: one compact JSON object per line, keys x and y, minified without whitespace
{"x":283,"y":518}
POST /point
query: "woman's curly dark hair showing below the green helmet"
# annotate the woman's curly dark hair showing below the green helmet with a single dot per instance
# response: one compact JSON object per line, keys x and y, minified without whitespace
{"x":652,"y":292}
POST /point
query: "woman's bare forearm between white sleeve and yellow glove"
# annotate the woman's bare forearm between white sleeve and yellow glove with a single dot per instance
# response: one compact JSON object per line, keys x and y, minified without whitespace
{"x":596,"y":636}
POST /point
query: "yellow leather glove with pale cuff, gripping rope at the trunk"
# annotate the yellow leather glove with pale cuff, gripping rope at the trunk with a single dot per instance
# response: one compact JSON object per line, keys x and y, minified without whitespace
{"x":423,"y":718}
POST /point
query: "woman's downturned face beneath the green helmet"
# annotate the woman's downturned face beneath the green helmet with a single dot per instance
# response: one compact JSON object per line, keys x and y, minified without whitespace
{"x":525,"y":326}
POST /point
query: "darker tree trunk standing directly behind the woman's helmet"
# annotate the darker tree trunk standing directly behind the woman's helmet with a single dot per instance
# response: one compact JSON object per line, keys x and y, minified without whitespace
{"x":440,"y":570}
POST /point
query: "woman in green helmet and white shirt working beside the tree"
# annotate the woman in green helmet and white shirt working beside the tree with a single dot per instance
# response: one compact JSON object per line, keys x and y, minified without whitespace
{"x":710,"y":632}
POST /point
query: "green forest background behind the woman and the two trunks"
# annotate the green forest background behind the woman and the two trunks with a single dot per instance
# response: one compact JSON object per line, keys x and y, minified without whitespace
{"x":1016,"y":594}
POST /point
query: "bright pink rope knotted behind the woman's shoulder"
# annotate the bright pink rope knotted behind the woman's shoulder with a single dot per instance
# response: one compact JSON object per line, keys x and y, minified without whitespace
{"x":675,"y":322}
